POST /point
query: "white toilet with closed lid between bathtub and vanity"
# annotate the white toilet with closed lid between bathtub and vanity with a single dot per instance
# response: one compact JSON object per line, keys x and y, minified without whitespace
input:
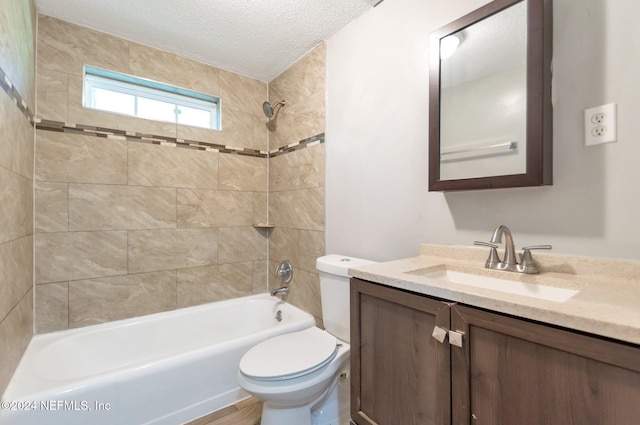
{"x":302,"y":377}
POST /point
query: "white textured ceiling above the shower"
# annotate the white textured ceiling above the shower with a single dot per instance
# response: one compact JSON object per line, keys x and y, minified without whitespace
{"x":256,"y":38}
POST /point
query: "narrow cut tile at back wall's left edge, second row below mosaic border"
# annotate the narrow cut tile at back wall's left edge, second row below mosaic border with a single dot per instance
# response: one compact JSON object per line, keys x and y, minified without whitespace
{"x":51,"y":207}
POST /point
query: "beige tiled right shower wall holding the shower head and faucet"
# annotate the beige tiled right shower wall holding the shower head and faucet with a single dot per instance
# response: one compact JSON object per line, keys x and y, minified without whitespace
{"x":296,"y":177}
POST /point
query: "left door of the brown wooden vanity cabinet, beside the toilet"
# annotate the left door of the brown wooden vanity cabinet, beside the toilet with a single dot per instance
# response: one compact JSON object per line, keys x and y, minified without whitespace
{"x":400,"y":374}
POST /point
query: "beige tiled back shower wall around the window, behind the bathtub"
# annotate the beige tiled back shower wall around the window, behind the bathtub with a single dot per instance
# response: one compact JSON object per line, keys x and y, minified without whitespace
{"x":134,"y":216}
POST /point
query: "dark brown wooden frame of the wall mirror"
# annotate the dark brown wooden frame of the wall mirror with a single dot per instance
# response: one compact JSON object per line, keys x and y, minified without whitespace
{"x":539,"y":109}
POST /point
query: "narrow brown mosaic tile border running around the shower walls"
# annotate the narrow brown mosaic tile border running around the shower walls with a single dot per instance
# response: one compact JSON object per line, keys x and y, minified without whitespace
{"x":110,"y":133}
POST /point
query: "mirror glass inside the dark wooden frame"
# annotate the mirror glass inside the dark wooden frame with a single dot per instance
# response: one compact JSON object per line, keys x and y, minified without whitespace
{"x":483,"y":97}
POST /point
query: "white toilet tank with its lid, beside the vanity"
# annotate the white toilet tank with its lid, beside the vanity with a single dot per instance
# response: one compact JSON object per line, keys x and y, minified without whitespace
{"x":334,"y":292}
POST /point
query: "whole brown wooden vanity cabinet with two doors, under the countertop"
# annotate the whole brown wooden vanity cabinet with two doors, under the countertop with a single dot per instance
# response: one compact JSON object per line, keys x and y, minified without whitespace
{"x":509,"y":371}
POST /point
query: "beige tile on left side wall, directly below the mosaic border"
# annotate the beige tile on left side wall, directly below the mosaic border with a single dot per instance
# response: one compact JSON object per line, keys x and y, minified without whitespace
{"x":16,"y":144}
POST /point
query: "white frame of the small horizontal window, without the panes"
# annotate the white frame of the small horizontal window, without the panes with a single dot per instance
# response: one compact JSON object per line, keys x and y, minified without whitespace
{"x":98,"y":78}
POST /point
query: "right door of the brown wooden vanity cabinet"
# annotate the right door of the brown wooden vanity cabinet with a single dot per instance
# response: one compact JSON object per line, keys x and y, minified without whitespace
{"x":511,"y":371}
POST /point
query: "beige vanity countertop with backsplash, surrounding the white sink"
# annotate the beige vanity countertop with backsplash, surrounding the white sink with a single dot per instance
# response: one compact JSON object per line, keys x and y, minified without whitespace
{"x":607,"y":304}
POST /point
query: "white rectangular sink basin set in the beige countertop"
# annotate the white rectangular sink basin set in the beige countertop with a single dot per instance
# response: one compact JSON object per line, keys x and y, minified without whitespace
{"x":483,"y":280}
